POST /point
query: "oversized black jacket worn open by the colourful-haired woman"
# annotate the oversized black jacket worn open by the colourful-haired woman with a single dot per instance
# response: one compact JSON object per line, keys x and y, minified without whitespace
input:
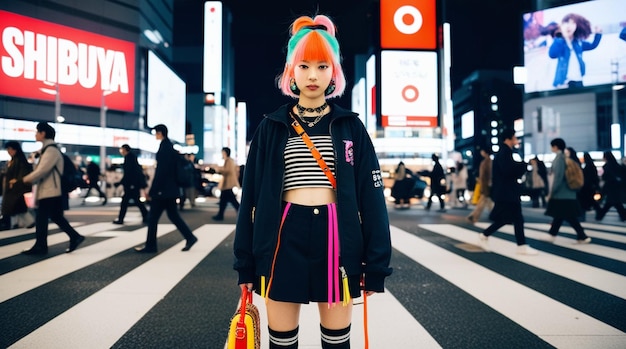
{"x":365,"y":244}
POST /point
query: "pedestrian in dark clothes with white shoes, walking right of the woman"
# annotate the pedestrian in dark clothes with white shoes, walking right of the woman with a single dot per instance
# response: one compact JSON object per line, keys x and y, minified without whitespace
{"x":506,"y":193}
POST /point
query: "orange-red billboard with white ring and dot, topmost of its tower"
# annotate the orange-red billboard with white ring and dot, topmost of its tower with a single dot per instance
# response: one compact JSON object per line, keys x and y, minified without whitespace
{"x":408,"y":24}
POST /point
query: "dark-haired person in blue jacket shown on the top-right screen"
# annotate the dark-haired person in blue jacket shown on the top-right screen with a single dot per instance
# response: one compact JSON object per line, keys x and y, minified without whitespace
{"x":568,"y":47}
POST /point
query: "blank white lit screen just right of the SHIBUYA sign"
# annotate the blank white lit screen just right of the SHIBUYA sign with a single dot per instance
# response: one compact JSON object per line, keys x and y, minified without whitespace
{"x":167,"y":98}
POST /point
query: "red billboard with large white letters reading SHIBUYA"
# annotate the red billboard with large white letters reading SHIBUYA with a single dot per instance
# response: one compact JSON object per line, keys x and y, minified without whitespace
{"x":39,"y":58}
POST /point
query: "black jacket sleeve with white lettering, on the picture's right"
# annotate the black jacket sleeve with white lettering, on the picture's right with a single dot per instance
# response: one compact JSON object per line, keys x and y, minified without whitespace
{"x":373,"y":212}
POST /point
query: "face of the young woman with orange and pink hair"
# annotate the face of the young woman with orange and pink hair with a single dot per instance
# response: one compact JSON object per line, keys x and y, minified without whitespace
{"x":312,"y":78}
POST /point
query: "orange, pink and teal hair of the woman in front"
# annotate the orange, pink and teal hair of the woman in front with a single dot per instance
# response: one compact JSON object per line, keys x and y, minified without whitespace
{"x":313,"y":39}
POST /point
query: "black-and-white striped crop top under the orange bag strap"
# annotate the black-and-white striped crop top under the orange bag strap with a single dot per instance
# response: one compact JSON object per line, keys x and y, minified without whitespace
{"x":301,"y":169}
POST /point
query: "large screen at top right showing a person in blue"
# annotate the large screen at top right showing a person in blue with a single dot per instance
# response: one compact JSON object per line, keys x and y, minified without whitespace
{"x":574,"y":46}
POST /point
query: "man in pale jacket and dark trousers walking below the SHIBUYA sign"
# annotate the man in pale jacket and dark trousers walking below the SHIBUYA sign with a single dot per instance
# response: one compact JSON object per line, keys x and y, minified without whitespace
{"x":49,"y":195}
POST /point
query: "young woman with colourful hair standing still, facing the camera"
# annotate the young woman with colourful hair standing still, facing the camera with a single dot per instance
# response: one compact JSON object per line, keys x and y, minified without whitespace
{"x":298,"y":239}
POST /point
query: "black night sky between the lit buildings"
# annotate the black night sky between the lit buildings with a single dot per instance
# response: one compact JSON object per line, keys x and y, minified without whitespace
{"x":486,"y":34}
